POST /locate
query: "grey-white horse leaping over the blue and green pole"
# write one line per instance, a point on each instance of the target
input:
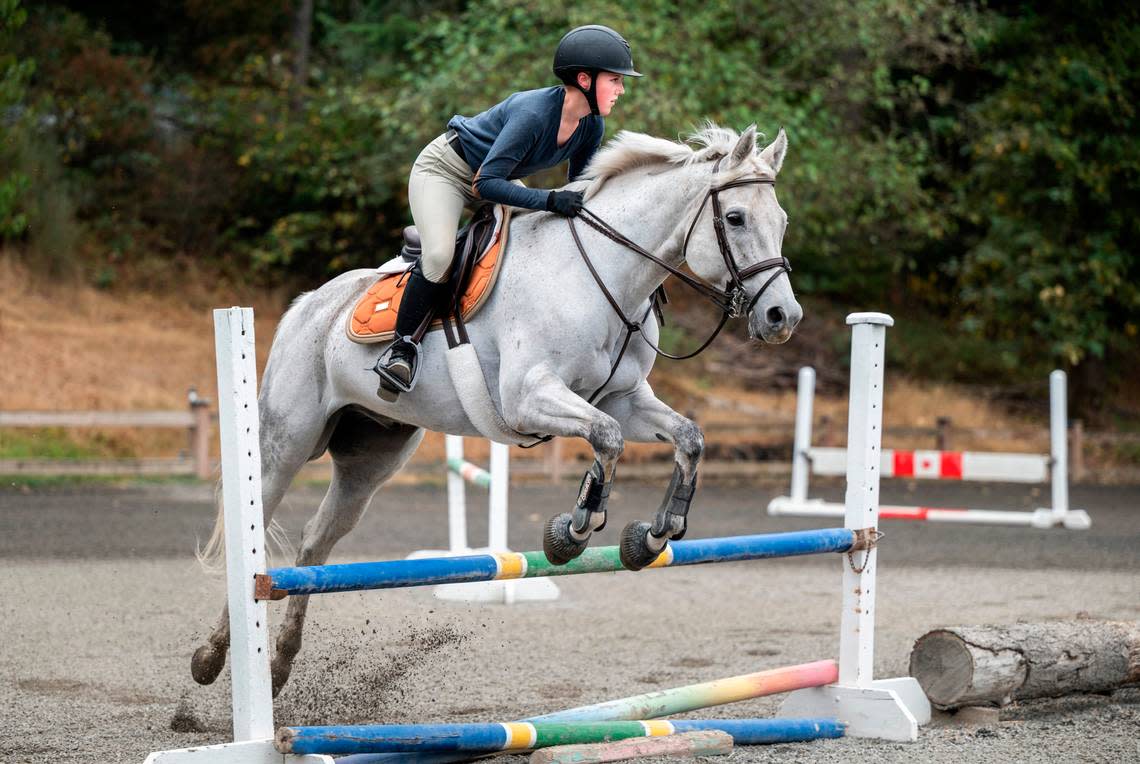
(547, 340)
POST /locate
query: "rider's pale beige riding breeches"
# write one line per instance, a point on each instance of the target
(439, 189)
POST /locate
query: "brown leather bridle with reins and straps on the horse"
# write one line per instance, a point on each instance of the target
(731, 300)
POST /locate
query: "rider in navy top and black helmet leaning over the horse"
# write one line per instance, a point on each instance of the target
(479, 158)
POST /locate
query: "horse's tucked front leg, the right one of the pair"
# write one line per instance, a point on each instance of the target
(645, 419)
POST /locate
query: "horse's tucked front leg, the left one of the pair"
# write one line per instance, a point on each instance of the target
(548, 407)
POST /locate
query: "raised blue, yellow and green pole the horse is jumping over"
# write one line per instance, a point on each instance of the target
(398, 574)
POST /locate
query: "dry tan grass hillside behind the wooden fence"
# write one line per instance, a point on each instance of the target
(68, 347)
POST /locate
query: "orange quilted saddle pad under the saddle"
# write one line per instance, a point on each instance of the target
(373, 320)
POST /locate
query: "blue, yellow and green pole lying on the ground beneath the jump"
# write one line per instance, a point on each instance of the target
(527, 736)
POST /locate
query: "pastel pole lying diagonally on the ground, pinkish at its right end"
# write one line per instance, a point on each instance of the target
(661, 703)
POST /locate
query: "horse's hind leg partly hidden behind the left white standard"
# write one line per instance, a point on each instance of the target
(286, 448)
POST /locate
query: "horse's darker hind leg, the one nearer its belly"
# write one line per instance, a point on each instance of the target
(365, 454)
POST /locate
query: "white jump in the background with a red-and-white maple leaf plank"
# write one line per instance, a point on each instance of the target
(940, 466)
